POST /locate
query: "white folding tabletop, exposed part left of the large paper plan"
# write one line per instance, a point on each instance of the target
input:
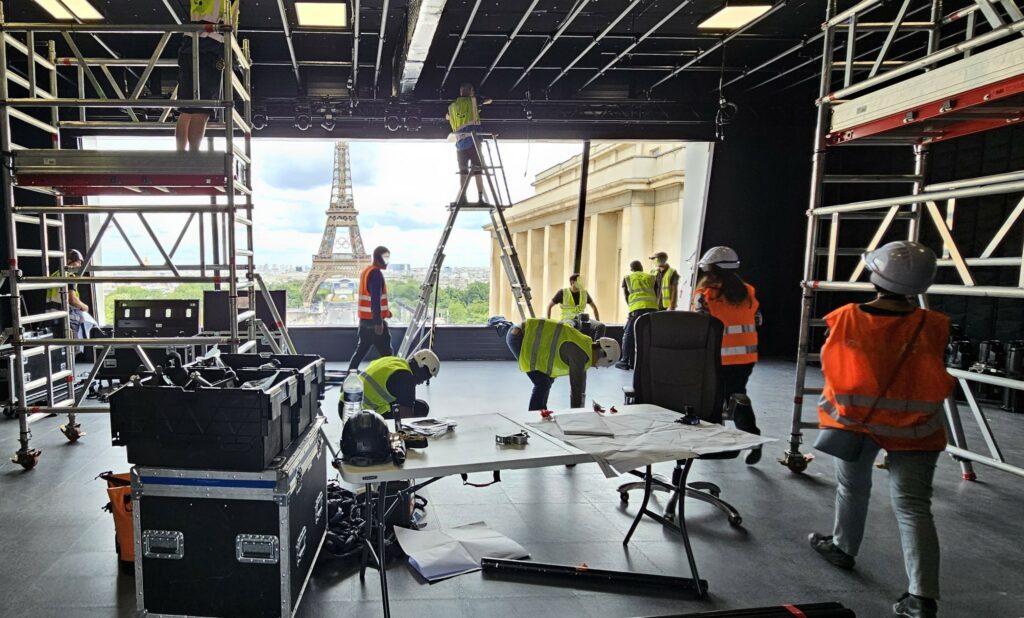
(471, 449)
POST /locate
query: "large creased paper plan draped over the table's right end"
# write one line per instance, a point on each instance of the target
(652, 437)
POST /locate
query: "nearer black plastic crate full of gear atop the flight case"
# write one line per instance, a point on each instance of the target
(207, 428)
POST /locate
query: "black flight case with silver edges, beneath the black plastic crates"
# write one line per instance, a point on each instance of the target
(215, 544)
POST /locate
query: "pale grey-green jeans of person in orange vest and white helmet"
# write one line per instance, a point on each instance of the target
(911, 489)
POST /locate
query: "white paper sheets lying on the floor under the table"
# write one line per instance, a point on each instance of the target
(440, 554)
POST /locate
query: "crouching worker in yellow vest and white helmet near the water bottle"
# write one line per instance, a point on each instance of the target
(393, 380)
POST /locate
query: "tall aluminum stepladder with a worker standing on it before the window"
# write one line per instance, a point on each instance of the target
(421, 328)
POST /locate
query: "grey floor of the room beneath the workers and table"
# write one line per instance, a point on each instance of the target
(58, 557)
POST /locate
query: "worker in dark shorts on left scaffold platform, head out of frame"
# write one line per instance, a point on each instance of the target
(191, 128)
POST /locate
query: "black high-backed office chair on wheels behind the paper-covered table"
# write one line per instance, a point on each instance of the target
(677, 362)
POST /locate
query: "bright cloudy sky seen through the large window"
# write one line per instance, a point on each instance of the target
(401, 191)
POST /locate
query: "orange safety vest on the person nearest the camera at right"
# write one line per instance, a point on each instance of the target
(860, 359)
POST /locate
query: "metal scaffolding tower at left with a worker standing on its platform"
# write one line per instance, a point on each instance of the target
(224, 226)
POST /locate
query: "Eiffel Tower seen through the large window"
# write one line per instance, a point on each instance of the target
(342, 253)
